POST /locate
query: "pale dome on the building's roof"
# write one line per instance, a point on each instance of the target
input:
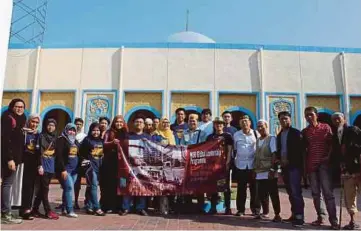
(189, 37)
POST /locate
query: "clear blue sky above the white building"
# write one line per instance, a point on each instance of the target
(334, 23)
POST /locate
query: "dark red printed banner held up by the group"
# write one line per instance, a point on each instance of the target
(151, 169)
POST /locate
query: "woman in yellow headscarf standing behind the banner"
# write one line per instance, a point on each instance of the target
(166, 203)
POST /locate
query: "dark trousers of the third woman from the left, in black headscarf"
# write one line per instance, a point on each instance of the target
(42, 191)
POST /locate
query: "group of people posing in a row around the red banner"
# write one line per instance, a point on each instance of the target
(255, 160)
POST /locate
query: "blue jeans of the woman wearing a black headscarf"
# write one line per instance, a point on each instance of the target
(92, 189)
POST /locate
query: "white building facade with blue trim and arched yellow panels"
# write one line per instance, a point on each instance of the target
(156, 78)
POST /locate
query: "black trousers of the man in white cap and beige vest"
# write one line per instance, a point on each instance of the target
(265, 189)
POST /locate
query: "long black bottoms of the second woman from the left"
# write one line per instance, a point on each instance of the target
(29, 177)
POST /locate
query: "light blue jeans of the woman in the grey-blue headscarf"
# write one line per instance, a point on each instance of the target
(68, 191)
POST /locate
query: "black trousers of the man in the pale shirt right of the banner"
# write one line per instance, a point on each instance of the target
(244, 177)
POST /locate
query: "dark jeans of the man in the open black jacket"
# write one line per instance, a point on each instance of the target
(292, 178)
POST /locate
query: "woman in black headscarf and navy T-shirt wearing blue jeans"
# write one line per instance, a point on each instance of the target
(91, 150)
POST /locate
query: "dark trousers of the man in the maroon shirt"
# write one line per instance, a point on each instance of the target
(321, 180)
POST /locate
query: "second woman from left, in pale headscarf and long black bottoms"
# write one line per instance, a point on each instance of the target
(31, 164)
